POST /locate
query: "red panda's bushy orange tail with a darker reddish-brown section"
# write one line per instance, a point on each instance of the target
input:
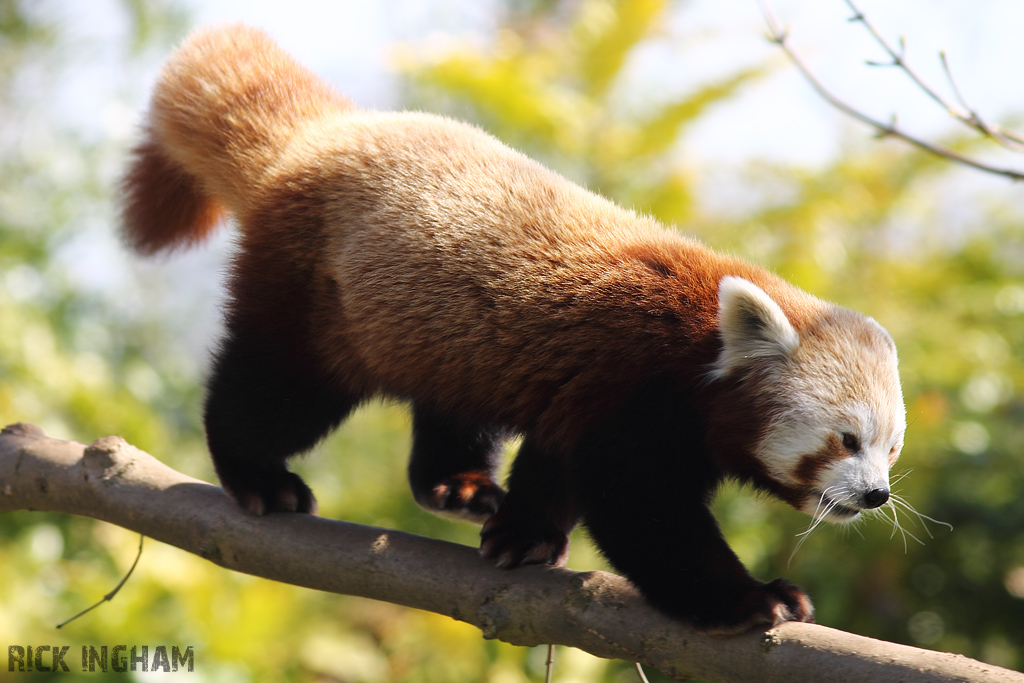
(224, 110)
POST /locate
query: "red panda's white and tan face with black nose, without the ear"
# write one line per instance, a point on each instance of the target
(839, 416)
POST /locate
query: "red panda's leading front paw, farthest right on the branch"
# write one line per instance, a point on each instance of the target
(761, 607)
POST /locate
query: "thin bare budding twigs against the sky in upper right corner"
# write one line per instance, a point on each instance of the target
(781, 37)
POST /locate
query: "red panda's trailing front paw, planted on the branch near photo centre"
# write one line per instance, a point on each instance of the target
(510, 542)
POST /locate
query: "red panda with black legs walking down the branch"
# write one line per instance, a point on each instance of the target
(413, 257)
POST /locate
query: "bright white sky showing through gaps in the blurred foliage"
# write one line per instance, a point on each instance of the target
(354, 45)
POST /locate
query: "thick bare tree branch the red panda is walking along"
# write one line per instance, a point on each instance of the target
(595, 612)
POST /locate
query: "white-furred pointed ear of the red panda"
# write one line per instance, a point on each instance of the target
(752, 325)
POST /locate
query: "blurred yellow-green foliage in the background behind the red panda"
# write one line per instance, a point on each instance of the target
(863, 232)
